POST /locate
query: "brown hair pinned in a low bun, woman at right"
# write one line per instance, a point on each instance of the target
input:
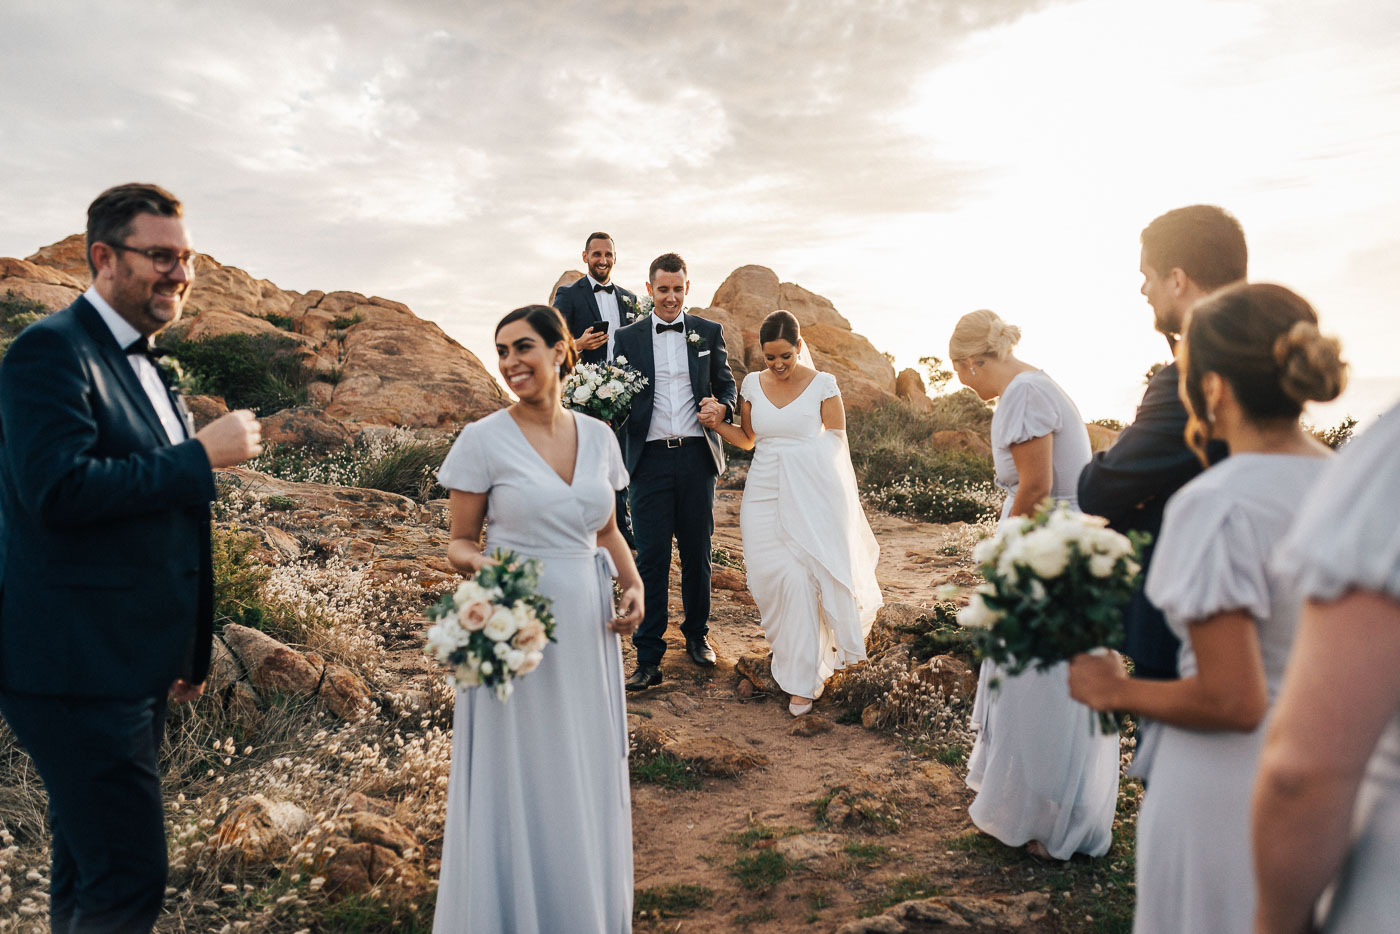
(1263, 341)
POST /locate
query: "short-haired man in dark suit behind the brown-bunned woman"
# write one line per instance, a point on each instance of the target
(1188, 254)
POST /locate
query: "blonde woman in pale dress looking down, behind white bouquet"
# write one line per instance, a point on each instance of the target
(1044, 779)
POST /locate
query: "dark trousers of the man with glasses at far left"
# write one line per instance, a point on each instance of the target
(99, 764)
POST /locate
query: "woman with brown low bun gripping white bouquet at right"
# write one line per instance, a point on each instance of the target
(1251, 358)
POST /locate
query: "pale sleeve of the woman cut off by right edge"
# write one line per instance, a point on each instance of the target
(1346, 536)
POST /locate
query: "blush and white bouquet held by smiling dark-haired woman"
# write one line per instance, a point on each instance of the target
(493, 628)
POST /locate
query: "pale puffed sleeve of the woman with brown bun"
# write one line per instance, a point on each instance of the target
(1209, 561)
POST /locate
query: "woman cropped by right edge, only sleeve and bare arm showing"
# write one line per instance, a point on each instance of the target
(1328, 797)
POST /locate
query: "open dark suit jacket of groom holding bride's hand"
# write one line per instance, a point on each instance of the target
(709, 377)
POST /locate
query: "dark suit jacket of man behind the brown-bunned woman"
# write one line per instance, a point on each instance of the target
(1129, 485)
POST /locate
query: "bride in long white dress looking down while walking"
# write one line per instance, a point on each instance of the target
(808, 550)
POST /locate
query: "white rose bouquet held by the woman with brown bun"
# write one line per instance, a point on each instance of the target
(1056, 586)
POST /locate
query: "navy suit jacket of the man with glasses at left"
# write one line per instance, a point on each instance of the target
(106, 585)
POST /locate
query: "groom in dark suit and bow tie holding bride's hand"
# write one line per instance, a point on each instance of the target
(674, 461)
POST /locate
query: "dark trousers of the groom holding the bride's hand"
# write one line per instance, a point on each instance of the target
(673, 498)
